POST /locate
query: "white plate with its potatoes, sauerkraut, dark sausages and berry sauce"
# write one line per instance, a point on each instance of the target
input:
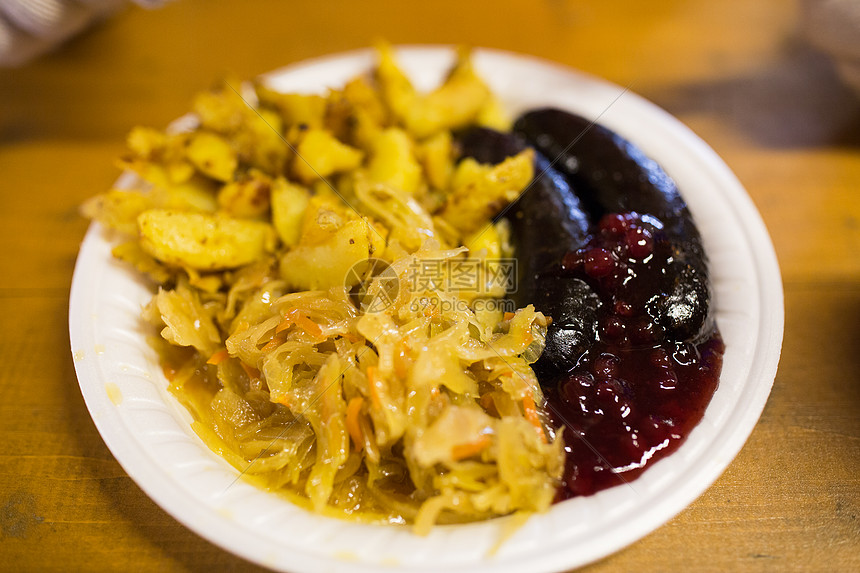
(424, 309)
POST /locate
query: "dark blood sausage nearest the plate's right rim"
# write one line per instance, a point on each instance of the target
(611, 175)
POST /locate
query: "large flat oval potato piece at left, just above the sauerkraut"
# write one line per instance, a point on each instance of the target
(201, 241)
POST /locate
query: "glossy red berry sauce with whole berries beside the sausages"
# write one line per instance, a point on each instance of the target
(636, 394)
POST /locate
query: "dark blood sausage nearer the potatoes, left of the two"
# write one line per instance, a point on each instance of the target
(546, 221)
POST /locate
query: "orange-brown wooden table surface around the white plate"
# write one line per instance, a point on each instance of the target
(734, 71)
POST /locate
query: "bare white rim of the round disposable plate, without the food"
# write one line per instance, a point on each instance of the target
(148, 431)
